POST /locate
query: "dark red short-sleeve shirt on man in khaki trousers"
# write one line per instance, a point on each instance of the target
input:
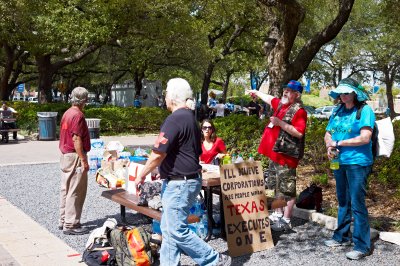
(73, 123)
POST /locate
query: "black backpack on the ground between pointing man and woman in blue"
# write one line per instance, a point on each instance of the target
(310, 198)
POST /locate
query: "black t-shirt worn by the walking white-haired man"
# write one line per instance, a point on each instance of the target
(180, 138)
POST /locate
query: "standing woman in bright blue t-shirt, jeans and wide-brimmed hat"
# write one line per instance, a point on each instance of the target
(351, 137)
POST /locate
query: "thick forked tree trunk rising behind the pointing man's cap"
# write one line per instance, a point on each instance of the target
(285, 17)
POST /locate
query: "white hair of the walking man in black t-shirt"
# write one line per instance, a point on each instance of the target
(179, 91)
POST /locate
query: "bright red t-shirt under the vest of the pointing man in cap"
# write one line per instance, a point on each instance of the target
(270, 135)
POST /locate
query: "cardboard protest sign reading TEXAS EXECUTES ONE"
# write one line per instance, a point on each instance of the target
(245, 208)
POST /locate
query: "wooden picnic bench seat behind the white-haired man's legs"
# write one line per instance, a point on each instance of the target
(130, 201)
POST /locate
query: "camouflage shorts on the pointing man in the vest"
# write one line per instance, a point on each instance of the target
(282, 179)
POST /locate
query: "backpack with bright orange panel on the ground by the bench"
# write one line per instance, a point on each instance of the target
(132, 246)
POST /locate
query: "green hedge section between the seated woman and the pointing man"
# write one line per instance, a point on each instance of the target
(241, 135)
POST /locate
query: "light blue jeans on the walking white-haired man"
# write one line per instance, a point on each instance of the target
(177, 199)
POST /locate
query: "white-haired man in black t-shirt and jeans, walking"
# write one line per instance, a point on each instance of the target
(177, 150)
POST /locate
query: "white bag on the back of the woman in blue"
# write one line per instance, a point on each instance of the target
(385, 137)
